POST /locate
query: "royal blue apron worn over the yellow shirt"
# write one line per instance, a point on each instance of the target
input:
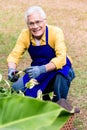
(42, 55)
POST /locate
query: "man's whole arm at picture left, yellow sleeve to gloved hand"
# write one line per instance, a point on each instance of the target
(15, 55)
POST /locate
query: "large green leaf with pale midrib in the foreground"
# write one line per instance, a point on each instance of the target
(24, 113)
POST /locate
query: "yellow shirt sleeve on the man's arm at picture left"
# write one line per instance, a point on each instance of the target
(20, 47)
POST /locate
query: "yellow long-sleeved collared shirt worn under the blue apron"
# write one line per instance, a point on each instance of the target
(55, 40)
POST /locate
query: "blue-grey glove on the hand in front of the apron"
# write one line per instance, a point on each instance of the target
(35, 71)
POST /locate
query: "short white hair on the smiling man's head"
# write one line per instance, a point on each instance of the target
(34, 9)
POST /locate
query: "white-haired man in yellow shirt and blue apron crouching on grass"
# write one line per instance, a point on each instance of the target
(50, 66)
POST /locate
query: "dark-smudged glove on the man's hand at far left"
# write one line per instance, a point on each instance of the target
(12, 75)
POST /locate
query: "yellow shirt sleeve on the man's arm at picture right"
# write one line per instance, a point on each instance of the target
(59, 47)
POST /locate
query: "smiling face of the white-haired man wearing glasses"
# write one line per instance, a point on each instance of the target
(37, 24)
